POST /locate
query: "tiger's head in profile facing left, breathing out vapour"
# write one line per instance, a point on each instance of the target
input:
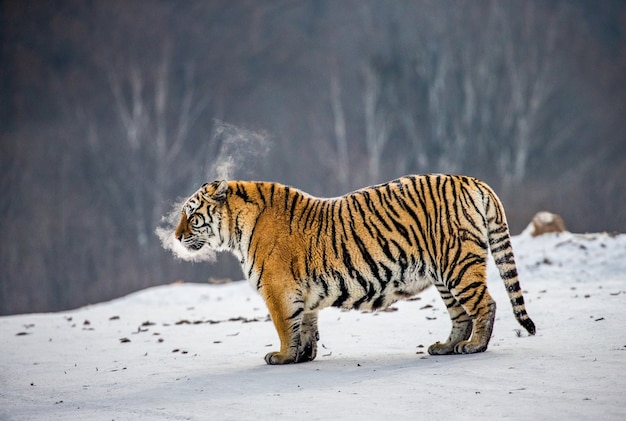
(201, 218)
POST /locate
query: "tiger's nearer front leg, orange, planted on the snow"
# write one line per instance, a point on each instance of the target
(287, 313)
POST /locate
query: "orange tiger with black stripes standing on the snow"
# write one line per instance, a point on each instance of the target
(364, 250)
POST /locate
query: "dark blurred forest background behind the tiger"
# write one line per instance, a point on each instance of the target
(111, 110)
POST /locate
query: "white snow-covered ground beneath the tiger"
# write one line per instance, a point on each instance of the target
(190, 351)
